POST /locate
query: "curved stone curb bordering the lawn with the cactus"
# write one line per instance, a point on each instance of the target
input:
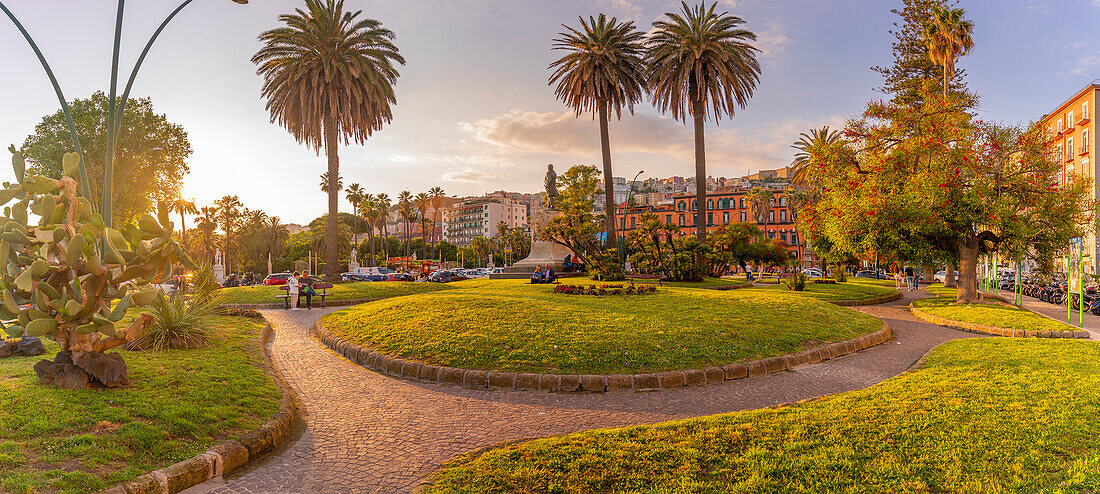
(226, 456)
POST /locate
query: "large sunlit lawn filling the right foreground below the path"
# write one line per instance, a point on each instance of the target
(982, 416)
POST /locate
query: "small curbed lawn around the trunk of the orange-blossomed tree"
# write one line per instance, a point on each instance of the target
(992, 314)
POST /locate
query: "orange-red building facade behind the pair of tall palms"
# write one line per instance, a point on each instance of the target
(723, 208)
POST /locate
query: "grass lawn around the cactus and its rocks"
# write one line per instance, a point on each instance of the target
(180, 404)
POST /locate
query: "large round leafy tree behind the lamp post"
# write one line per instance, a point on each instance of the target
(151, 155)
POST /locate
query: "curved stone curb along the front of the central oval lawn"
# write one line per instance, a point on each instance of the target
(571, 383)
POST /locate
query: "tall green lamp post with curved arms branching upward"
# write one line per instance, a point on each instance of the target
(115, 108)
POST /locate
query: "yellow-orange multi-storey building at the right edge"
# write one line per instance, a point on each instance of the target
(1071, 131)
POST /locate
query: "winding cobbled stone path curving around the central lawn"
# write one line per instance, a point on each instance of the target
(366, 433)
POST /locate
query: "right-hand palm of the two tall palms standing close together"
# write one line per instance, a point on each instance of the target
(700, 59)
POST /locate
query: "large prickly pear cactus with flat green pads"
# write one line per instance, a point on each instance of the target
(61, 277)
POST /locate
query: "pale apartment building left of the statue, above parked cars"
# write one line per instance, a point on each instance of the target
(478, 217)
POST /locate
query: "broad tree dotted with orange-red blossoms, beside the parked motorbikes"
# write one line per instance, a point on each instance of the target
(931, 183)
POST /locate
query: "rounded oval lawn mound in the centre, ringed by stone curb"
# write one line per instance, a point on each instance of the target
(512, 326)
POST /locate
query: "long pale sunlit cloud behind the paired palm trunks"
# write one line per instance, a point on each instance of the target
(525, 136)
